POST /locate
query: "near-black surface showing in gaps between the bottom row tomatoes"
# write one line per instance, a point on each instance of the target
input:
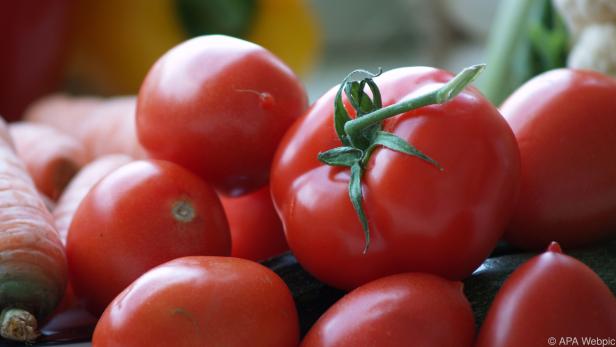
(313, 297)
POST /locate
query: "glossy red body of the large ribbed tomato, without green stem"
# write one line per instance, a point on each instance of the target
(421, 219)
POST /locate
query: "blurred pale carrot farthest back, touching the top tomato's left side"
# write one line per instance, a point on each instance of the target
(104, 126)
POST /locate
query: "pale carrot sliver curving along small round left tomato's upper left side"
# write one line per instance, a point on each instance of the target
(80, 186)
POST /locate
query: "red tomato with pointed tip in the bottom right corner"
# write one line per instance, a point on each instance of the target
(552, 296)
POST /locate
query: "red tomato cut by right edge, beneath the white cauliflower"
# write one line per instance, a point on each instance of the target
(565, 124)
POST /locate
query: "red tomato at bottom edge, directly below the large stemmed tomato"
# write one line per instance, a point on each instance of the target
(410, 309)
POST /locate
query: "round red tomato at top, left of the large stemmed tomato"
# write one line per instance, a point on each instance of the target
(219, 106)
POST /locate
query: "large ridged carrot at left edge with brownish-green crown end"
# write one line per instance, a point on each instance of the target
(33, 272)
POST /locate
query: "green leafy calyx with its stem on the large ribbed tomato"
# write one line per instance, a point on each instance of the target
(361, 135)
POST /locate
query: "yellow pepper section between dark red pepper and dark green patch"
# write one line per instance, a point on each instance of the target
(115, 42)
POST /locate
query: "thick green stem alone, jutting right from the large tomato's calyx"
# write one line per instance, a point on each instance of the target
(449, 90)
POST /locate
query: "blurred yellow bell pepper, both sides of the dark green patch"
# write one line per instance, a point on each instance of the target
(115, 42)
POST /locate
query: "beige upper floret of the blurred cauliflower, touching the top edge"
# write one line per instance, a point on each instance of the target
(579, 14)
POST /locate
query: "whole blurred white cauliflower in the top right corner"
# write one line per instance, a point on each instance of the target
(592, 25)
